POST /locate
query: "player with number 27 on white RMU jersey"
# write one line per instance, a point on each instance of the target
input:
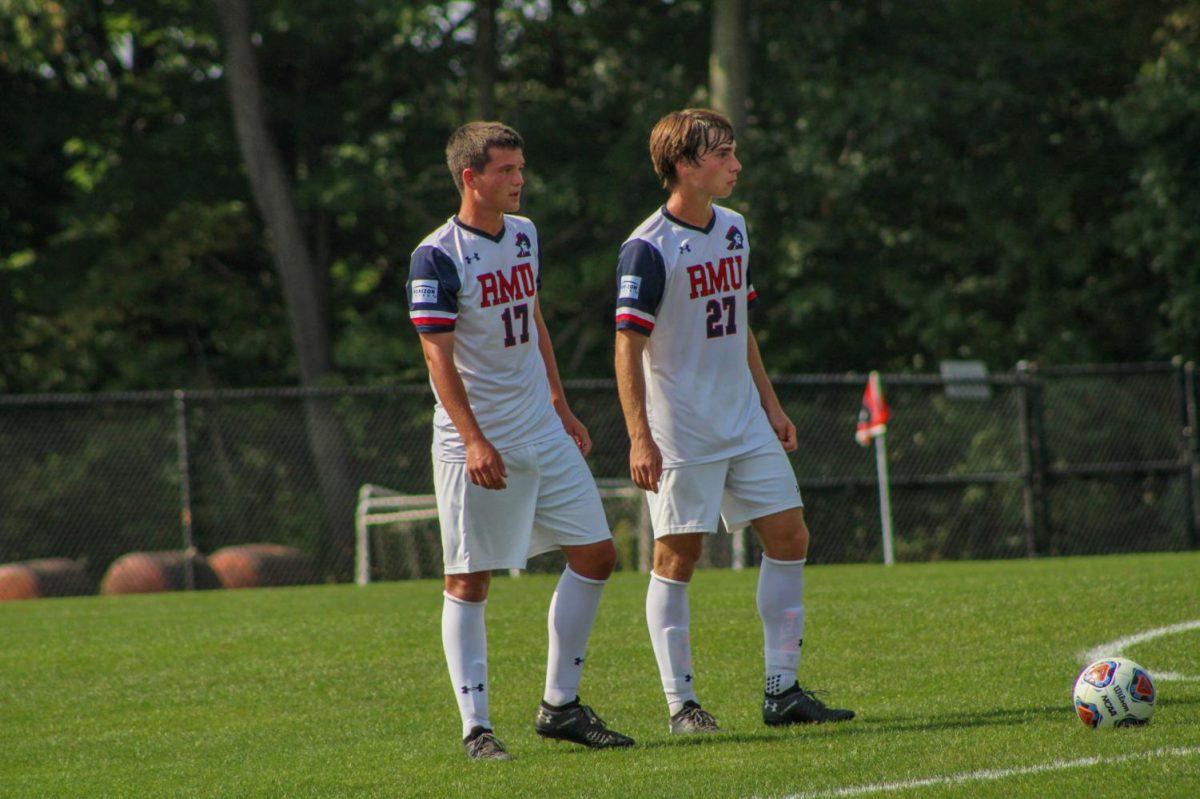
(707, 432)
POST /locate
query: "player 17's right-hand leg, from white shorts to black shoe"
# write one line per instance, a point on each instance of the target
(569, 515)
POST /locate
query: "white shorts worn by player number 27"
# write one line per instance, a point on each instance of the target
(691, 498)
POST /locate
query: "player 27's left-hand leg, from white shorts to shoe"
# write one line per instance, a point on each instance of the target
(683, 513)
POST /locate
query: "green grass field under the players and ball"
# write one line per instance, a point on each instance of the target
(341, 692)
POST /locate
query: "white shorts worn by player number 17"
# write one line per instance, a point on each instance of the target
(551, 501)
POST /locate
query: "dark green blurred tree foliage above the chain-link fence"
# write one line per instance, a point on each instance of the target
(980, 179)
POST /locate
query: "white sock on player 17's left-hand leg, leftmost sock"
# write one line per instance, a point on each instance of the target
(465, 641)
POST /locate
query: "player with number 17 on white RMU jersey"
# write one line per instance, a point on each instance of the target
(508, 453)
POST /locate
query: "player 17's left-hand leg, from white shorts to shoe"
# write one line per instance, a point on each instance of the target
(482, 531)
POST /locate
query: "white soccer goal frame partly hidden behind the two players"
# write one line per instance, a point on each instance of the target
(379, 506)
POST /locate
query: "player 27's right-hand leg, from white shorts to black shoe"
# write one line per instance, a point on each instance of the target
(763, 489)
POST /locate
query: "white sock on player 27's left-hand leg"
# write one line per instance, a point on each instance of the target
(668, 618)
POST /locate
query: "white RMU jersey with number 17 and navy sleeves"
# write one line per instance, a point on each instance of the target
(484, 290)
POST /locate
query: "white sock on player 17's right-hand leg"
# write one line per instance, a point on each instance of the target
(573, 609)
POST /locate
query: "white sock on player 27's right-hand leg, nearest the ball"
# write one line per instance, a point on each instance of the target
(781, 600)
